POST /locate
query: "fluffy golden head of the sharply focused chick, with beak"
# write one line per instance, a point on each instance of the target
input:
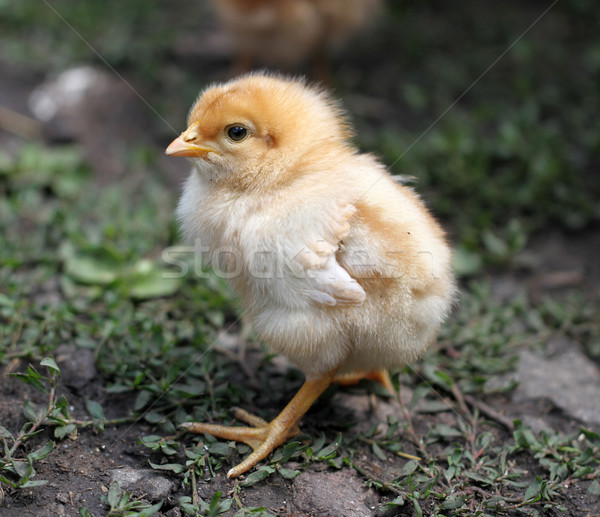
(252, 131)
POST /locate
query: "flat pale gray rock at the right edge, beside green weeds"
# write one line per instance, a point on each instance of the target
(569, 379)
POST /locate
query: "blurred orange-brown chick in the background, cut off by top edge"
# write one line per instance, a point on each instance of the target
(289, 33)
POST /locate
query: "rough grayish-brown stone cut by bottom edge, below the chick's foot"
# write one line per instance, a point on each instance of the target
(332, 494)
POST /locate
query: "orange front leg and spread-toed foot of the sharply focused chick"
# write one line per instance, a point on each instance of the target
(265, 437)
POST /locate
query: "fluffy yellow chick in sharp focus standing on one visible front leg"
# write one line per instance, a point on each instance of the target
(339, 267)
